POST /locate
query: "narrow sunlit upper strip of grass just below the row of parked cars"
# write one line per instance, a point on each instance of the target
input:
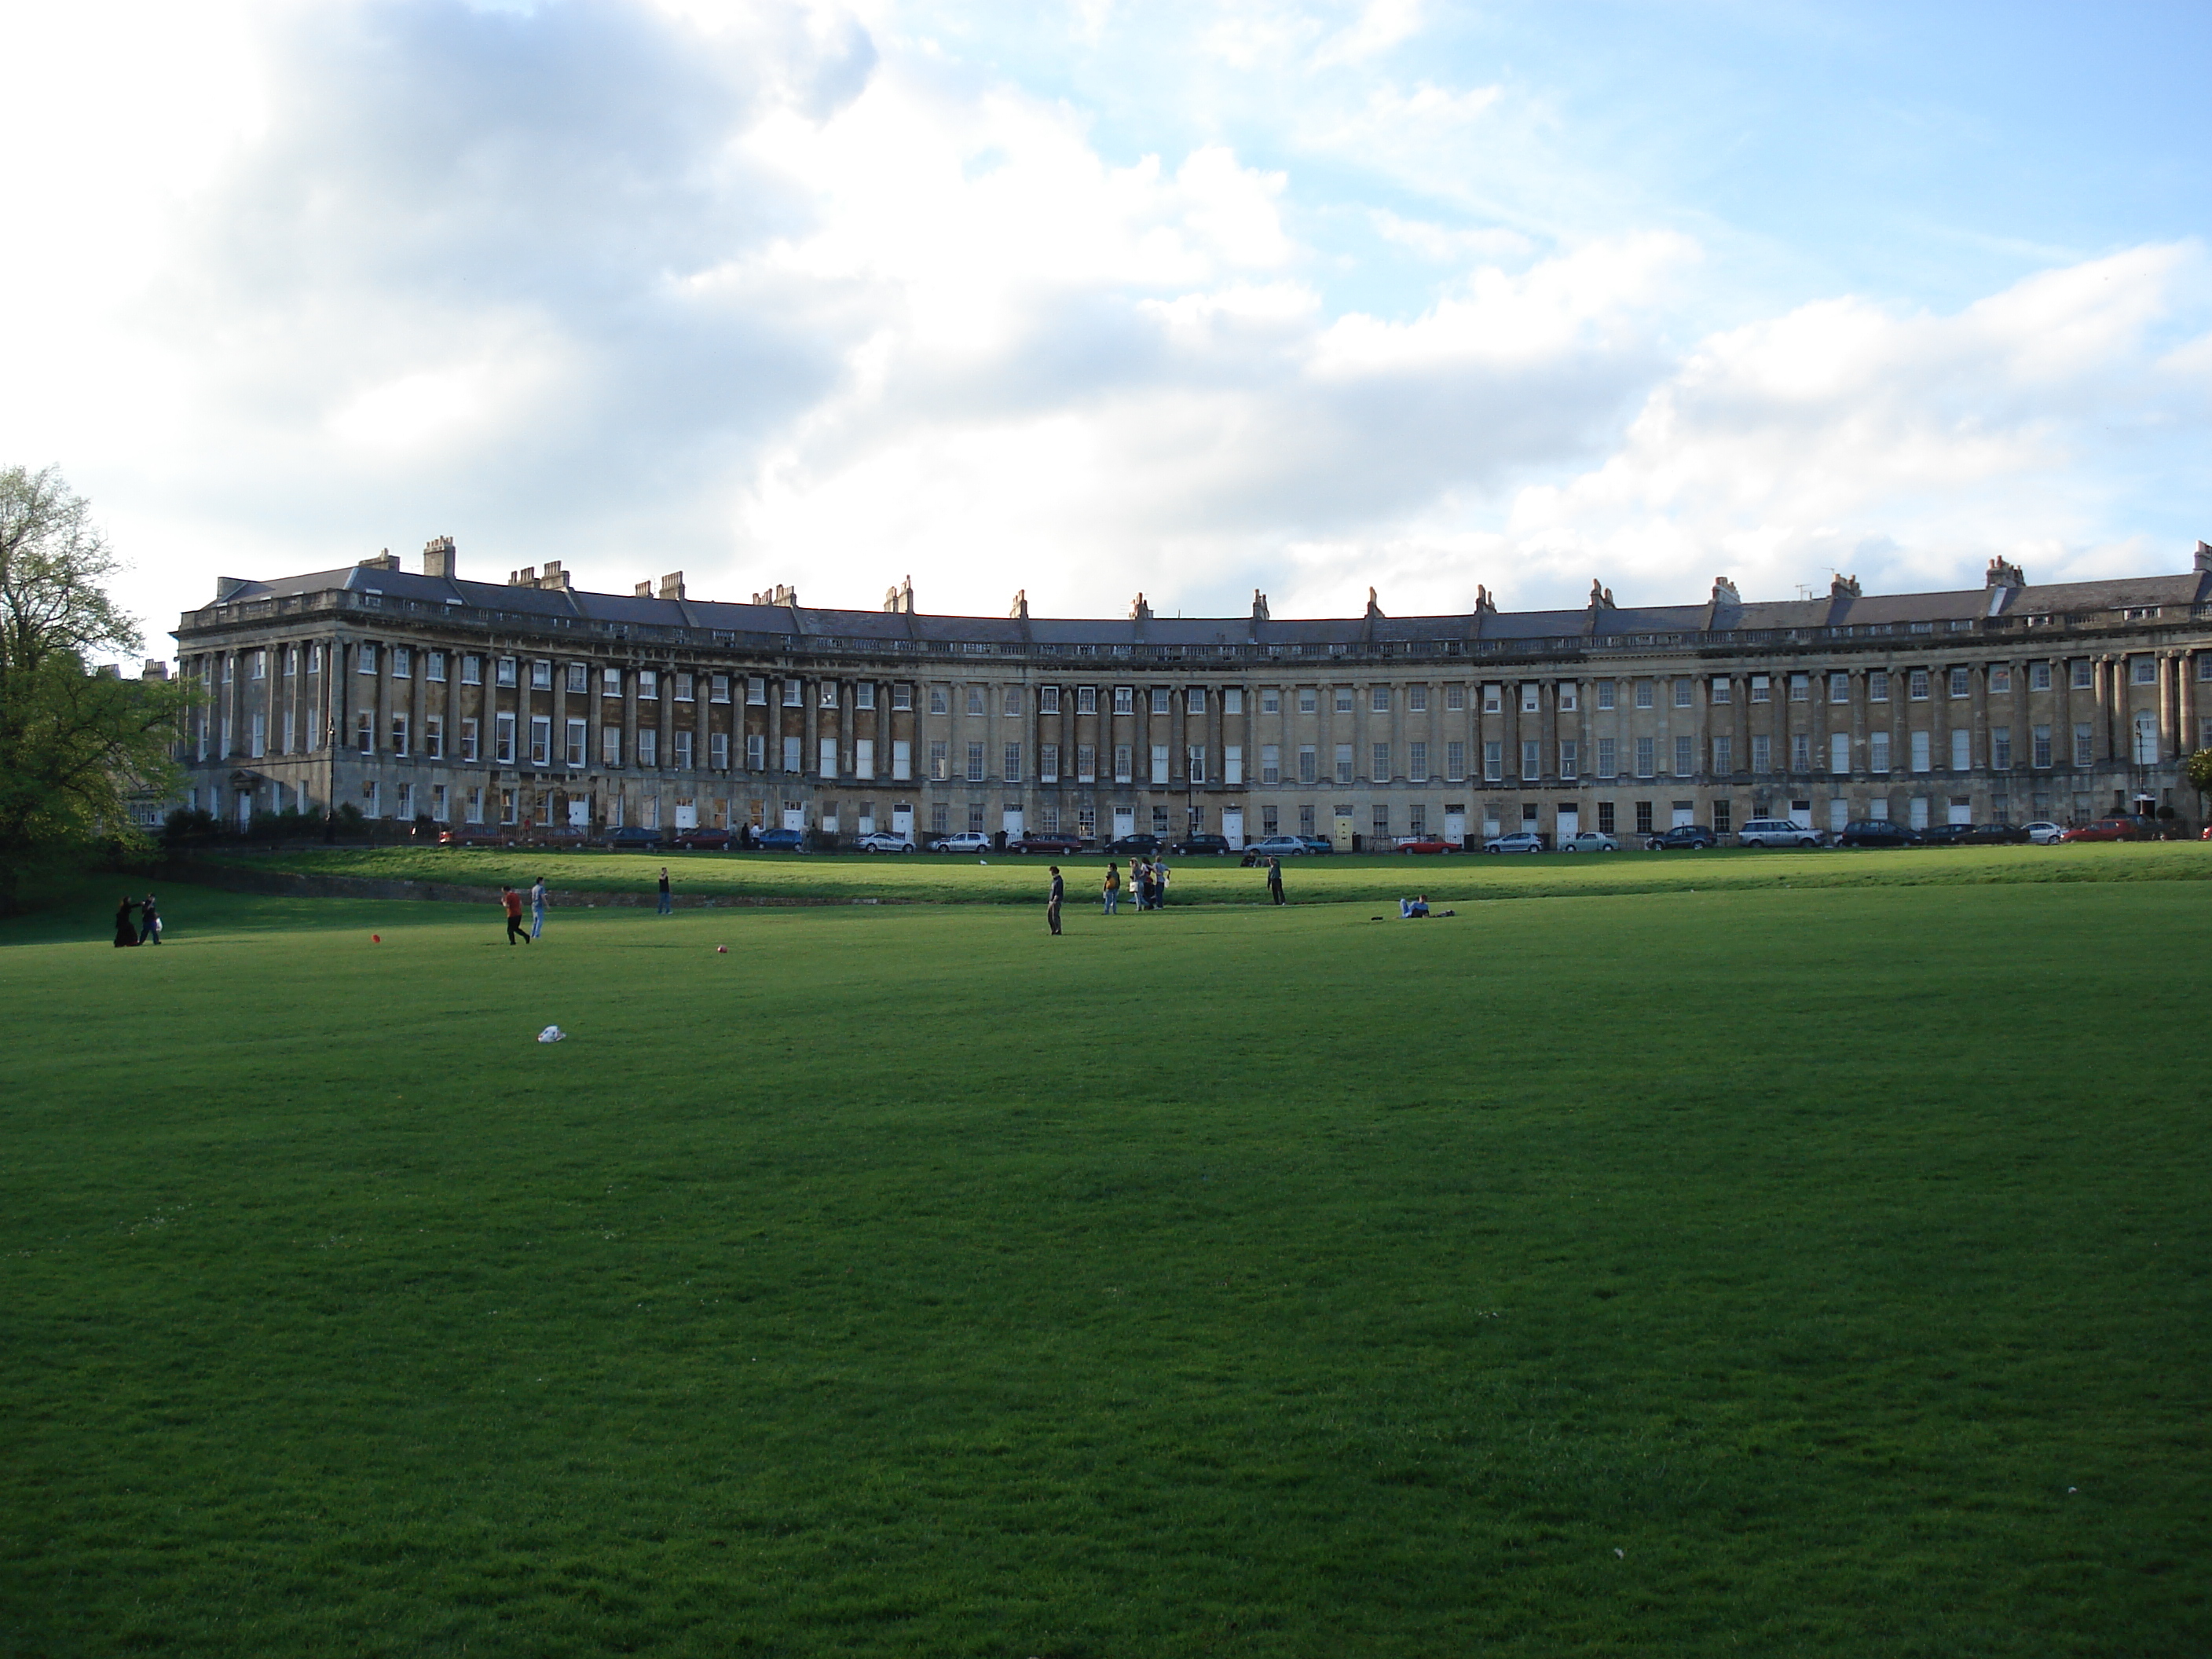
(946, 879)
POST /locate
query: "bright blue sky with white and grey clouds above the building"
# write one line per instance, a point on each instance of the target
(1100, 298)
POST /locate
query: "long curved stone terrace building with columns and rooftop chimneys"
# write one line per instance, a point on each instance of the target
(532, 705)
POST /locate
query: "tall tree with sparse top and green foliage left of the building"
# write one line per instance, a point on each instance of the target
(74, 740)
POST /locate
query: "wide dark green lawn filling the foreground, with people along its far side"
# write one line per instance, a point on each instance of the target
(1726, 1271)
